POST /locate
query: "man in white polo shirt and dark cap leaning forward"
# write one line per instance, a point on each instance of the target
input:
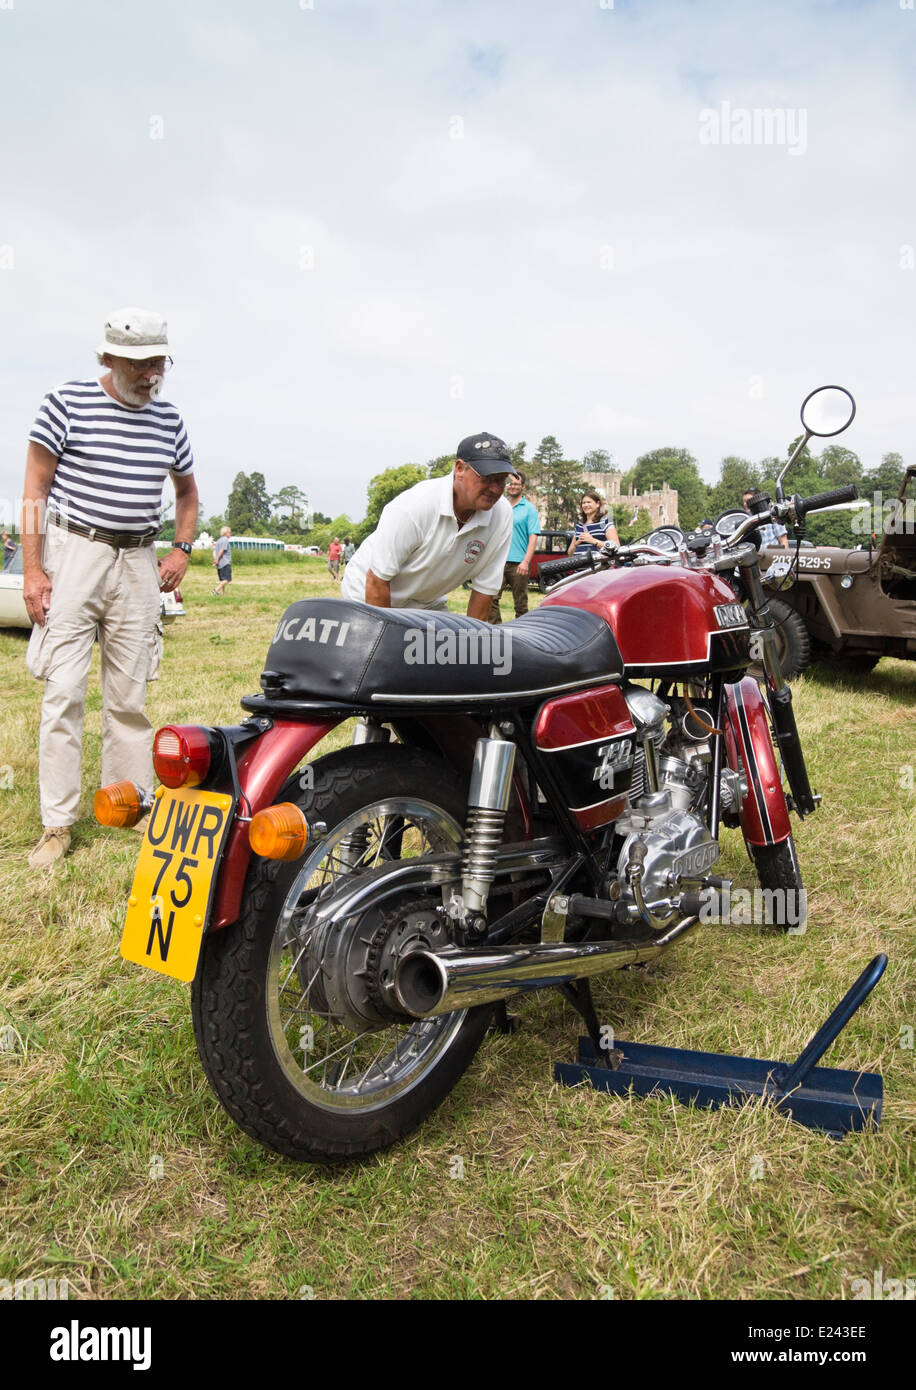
(439, 534)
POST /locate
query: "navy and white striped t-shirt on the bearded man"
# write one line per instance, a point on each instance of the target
(112, 459)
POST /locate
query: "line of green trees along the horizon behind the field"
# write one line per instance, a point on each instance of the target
(557, 484)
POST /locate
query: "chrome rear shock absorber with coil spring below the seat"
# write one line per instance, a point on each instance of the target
(487, 807)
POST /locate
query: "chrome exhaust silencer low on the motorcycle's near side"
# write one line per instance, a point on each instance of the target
(443, 982)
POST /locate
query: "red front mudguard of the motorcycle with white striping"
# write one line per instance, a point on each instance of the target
(764, 812)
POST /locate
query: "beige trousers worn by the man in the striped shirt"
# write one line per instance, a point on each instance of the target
(111, 596)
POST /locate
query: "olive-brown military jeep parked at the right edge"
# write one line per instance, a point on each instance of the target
(856, 605)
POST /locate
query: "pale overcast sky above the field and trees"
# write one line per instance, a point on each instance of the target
(379, 227)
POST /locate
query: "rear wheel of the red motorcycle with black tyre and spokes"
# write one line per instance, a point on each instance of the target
(255, 1007)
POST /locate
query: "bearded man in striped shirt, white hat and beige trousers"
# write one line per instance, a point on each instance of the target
(99, 454)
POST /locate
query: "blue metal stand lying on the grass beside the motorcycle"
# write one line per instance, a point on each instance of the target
(819, 1097)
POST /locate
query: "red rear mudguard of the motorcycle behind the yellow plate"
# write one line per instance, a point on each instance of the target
(263, 769)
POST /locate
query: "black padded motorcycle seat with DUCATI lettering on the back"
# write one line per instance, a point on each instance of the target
(336, 650)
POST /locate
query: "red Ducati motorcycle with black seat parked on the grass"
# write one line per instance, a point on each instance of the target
(523, 807)
